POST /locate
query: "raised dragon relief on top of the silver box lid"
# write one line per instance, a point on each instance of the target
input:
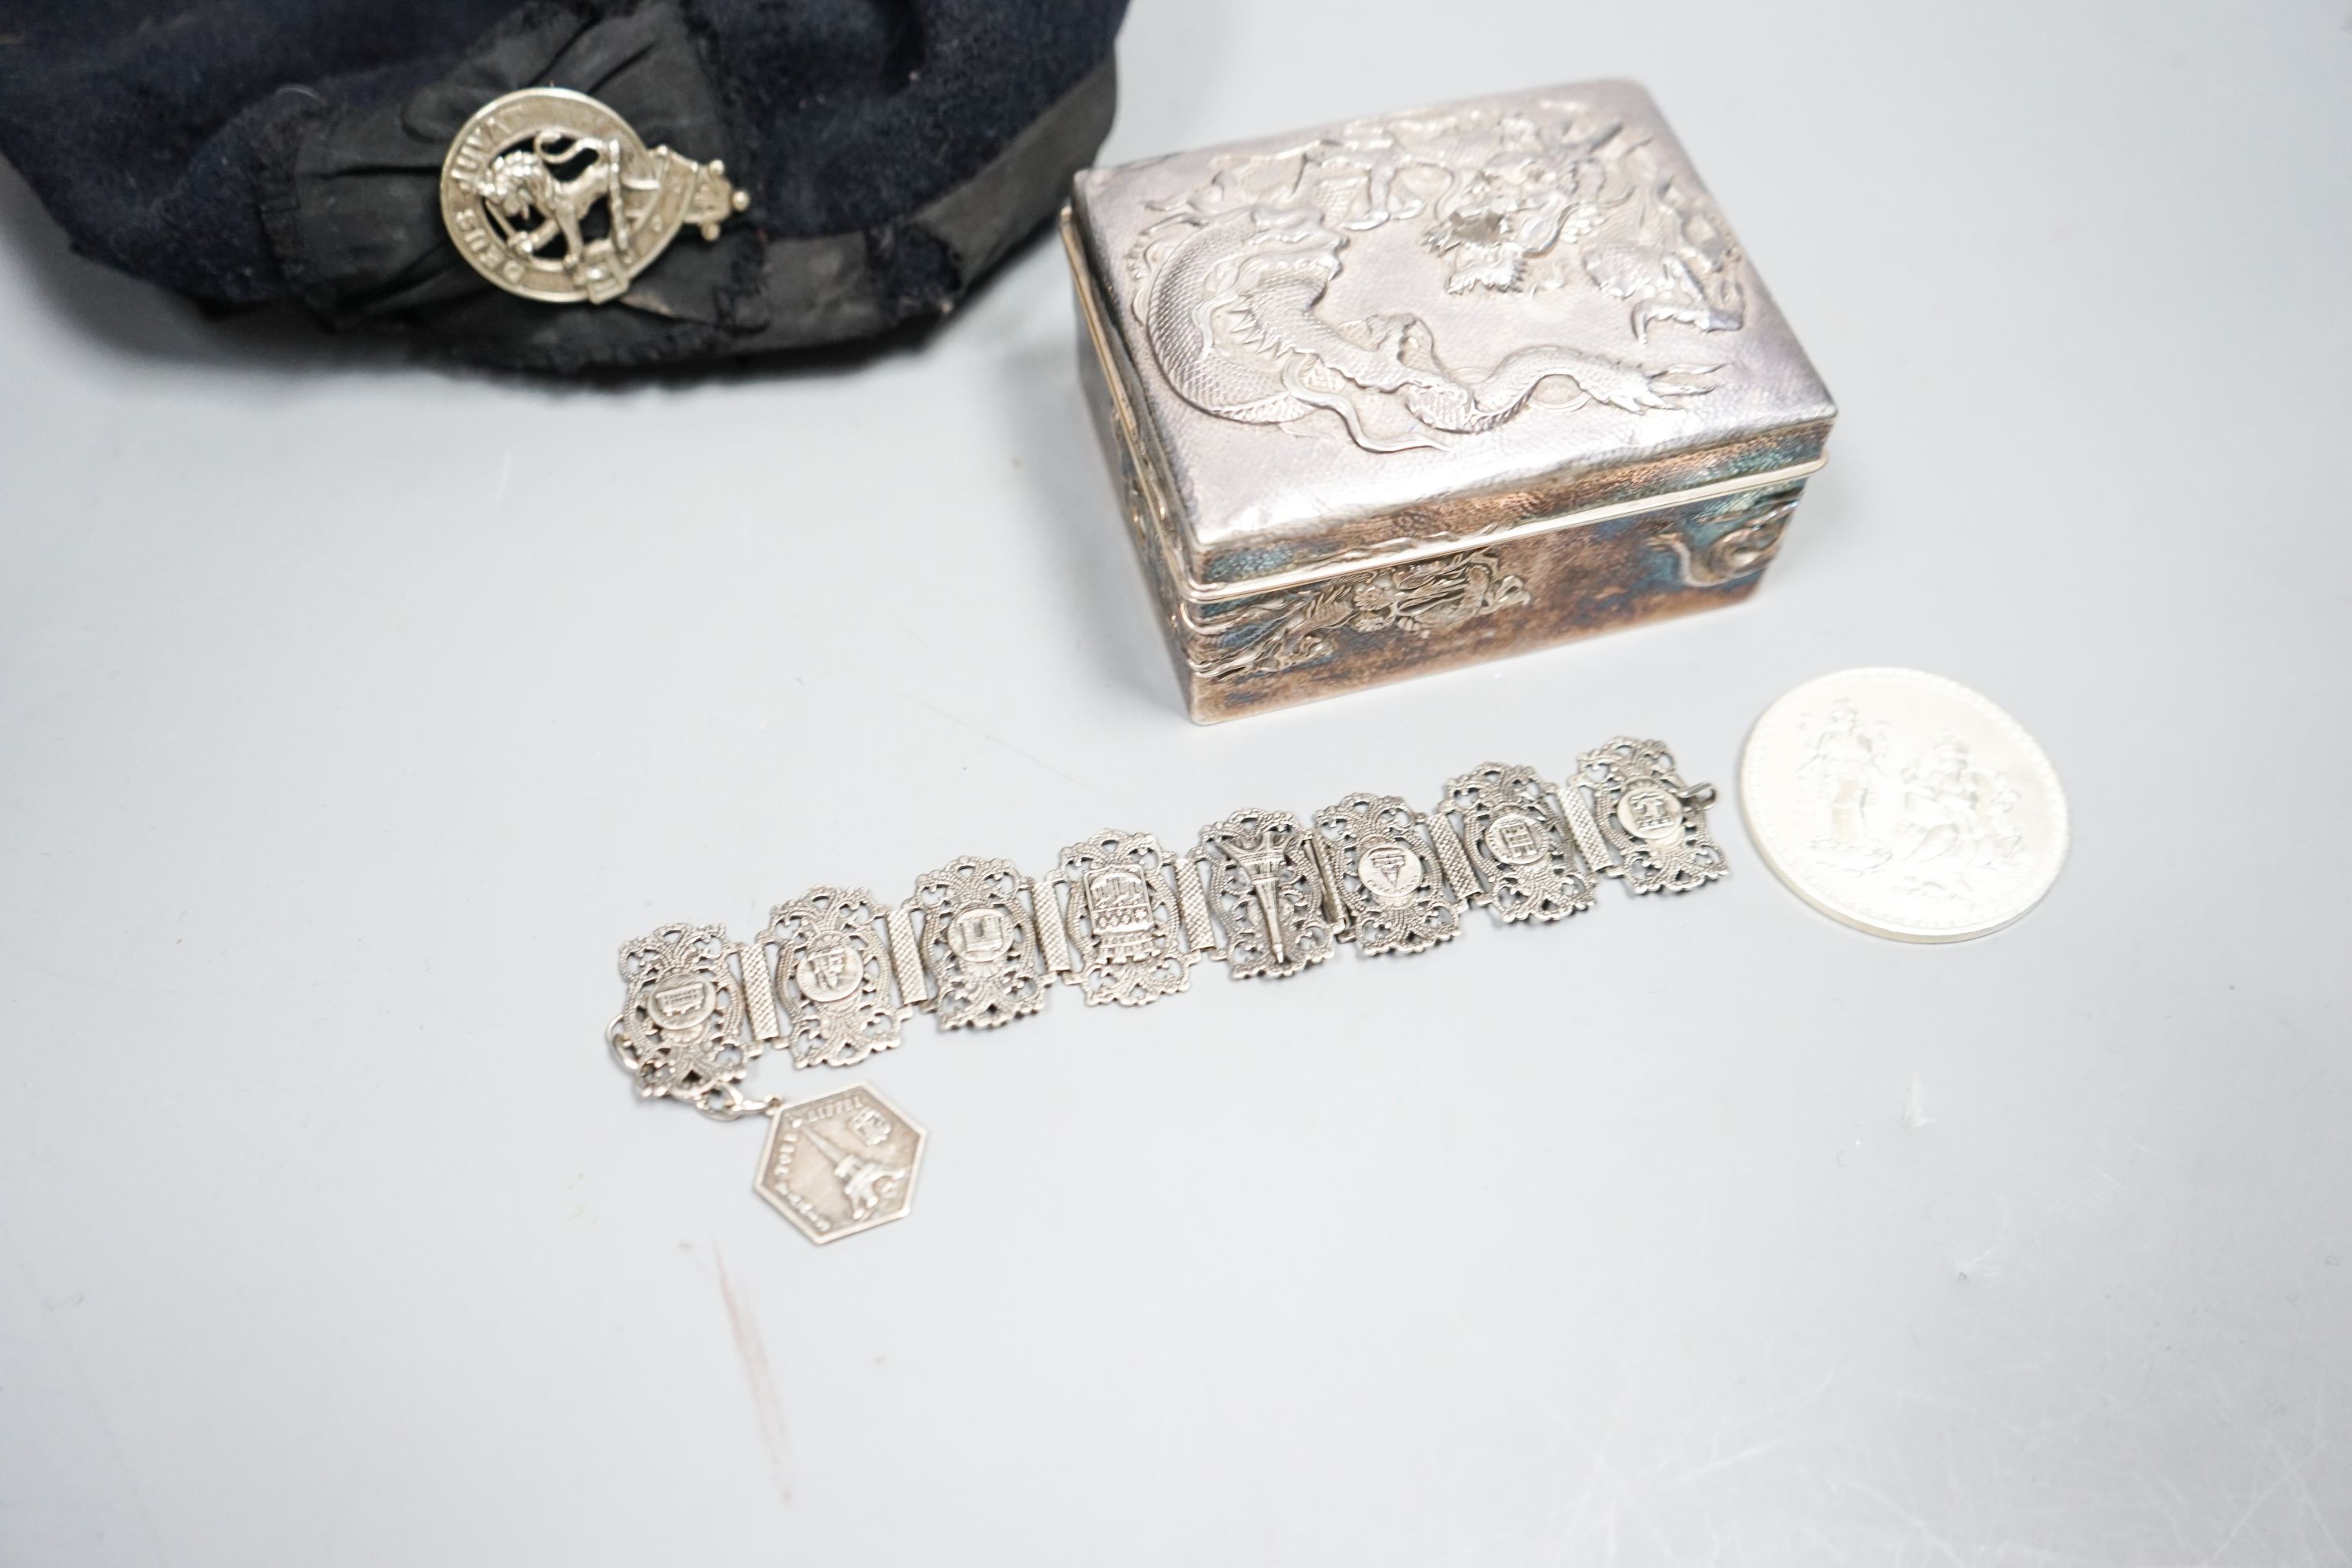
(1504, 201)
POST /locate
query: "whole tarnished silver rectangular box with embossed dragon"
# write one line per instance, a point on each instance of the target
(1434, 387)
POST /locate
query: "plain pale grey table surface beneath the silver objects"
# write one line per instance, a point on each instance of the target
(356, 711)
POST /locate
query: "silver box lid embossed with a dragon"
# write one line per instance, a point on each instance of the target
(1394, 337)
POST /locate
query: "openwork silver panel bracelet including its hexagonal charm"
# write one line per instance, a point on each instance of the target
(838, 972)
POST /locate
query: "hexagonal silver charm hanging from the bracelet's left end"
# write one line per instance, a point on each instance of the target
(841, 1165)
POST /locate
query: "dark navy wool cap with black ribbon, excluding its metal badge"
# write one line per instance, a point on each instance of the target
(250, 152)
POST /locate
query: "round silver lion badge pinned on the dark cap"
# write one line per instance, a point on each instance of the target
(554, 196)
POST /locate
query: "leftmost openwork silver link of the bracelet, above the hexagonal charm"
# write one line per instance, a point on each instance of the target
(681, 1028)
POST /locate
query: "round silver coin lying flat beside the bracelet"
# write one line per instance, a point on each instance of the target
(1904, 805)
